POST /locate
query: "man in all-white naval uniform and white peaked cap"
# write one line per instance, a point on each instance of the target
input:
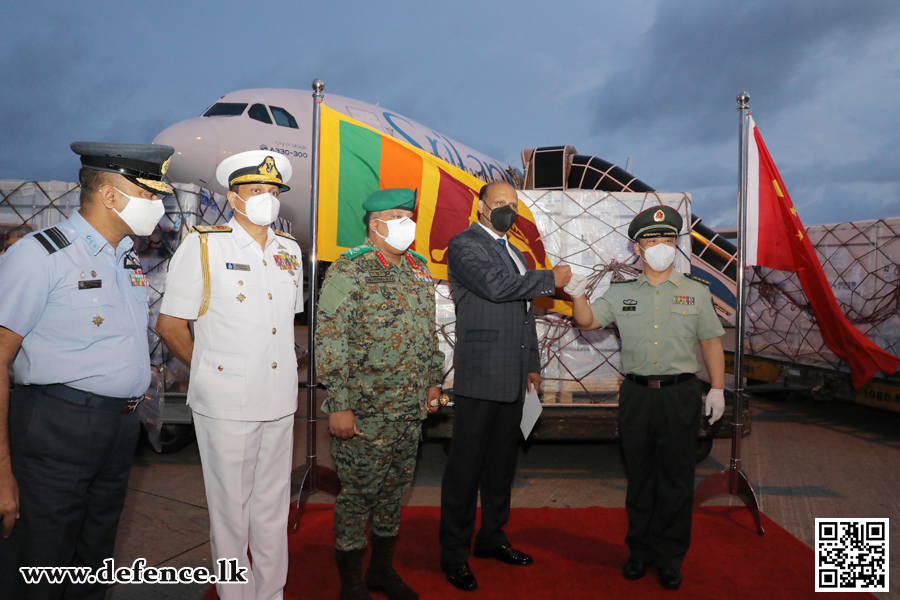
(241, 284)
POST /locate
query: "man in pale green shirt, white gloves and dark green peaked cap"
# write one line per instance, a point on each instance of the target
(662, 316)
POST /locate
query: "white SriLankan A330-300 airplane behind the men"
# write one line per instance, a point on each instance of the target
(280, 120)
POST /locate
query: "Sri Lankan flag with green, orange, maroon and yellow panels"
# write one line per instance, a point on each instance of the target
(357, 160)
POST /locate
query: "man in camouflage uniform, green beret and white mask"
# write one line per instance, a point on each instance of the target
(377, 353)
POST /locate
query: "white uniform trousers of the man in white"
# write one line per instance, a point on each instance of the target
(247, 474)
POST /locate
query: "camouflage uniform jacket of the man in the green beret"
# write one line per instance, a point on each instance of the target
(376, 344)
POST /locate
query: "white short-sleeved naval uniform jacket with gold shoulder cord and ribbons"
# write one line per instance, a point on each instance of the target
(244, 366)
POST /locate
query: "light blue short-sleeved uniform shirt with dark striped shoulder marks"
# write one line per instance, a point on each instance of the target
(81, 312)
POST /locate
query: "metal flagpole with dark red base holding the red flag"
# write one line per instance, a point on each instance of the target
(732, 480)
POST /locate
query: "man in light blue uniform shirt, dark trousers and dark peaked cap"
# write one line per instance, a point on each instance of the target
(73, 322)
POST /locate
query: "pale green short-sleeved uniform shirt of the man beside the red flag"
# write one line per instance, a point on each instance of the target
(659, 325)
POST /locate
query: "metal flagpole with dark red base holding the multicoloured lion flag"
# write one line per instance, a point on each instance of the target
(316, 478)
